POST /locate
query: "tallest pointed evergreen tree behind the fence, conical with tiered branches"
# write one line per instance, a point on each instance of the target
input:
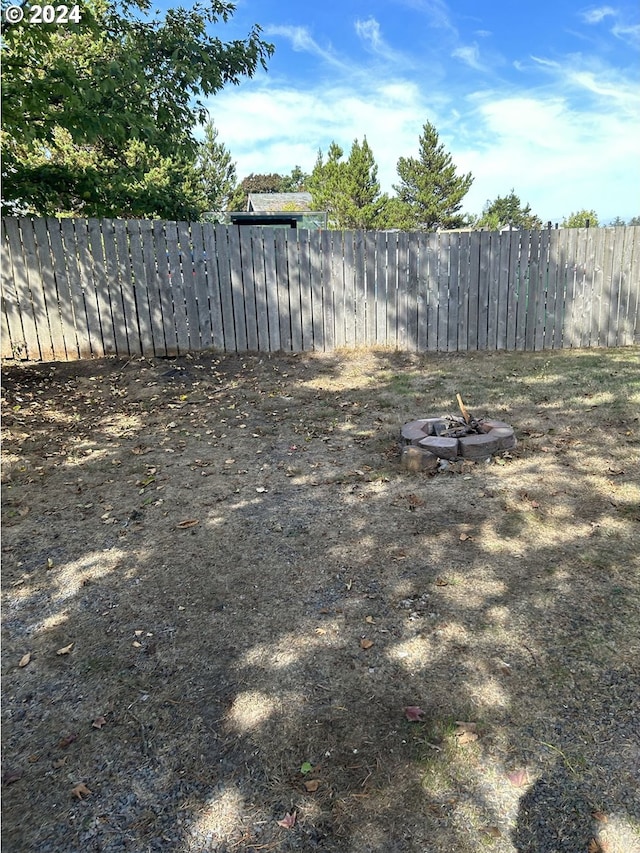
(430, 191)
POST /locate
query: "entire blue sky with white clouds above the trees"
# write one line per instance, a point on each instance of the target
(540, 97)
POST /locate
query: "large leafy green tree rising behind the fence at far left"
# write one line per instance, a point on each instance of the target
(123, 80)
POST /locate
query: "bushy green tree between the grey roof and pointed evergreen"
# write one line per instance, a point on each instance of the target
(349, 190)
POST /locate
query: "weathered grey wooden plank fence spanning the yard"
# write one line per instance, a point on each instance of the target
(77, 288)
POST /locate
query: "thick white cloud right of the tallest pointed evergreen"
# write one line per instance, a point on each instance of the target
(556, 158)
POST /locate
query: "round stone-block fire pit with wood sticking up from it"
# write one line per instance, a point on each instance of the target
(426, 441)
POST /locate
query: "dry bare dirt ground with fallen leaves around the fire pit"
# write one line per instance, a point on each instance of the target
(221, 594)
